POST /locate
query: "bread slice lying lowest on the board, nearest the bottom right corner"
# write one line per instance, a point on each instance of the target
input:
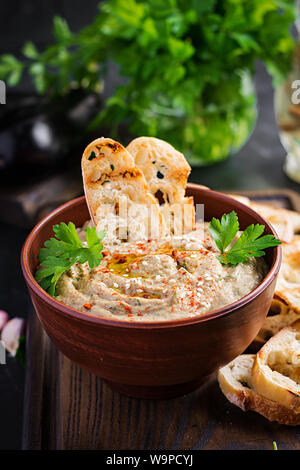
(235, 381)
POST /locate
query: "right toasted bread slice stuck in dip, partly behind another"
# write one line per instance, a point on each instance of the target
(166, 171)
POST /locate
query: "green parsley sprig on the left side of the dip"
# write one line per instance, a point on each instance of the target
(60, 253)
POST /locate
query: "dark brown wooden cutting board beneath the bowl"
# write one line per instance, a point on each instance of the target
(69, 408)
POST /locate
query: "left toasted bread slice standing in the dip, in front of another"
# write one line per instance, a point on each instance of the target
(117, 194)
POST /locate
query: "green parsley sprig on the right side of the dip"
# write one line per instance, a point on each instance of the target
(250, 243)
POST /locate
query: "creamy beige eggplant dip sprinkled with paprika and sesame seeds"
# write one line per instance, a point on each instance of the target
(159, 280)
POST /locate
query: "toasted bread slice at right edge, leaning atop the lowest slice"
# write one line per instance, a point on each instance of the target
(276, 368)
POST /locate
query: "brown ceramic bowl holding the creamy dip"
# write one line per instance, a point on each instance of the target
(152, 359)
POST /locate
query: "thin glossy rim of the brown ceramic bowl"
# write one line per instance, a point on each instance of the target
(91, 318)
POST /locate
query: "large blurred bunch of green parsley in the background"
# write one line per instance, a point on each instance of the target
(184, 63)
